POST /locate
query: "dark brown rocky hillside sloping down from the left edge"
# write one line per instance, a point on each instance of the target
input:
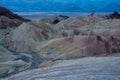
(9, 19)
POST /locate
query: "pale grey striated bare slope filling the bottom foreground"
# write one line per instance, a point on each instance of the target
(102, 68)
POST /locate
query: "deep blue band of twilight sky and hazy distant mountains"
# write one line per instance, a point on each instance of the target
(61, 5)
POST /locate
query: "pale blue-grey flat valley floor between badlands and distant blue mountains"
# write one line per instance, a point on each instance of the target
(41, 15)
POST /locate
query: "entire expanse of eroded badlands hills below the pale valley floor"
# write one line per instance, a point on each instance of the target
(60, 48)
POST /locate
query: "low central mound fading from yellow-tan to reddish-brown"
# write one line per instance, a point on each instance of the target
(71, 48)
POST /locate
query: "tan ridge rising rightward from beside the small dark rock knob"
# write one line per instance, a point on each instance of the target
(72, 23)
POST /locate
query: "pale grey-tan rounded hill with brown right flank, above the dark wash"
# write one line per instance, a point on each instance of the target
(28, 35)
